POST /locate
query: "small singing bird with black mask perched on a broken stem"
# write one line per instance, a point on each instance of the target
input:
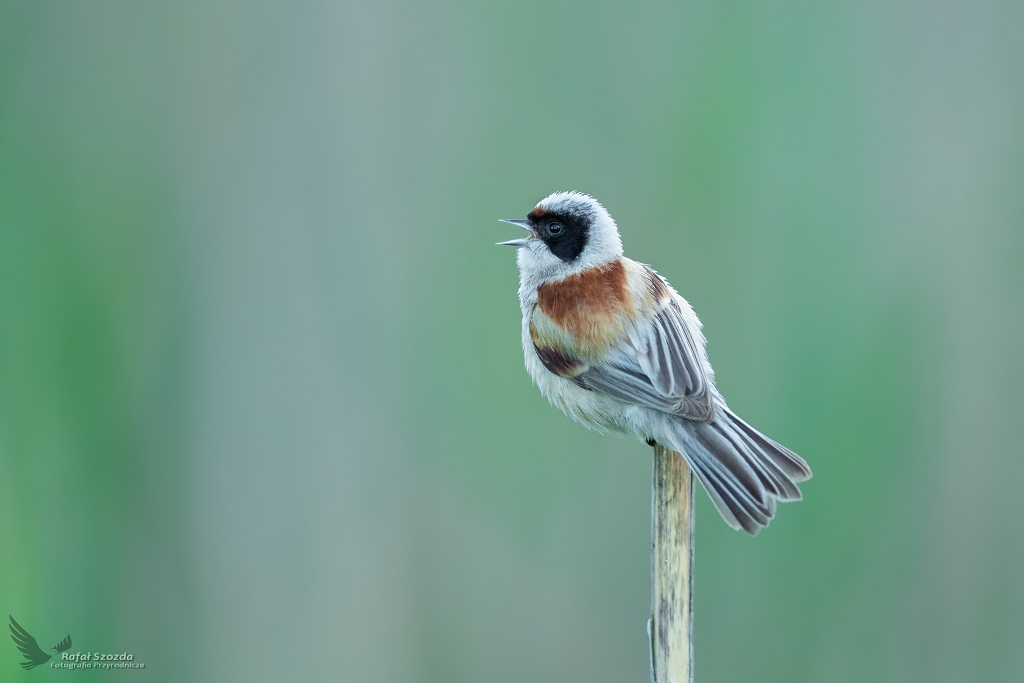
(611, 344)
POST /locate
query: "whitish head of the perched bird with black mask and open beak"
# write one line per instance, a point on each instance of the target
(569, 233)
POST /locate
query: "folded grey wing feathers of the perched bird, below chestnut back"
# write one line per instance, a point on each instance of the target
(658, 366)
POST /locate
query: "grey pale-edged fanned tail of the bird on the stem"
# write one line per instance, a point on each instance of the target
(744, 472)
